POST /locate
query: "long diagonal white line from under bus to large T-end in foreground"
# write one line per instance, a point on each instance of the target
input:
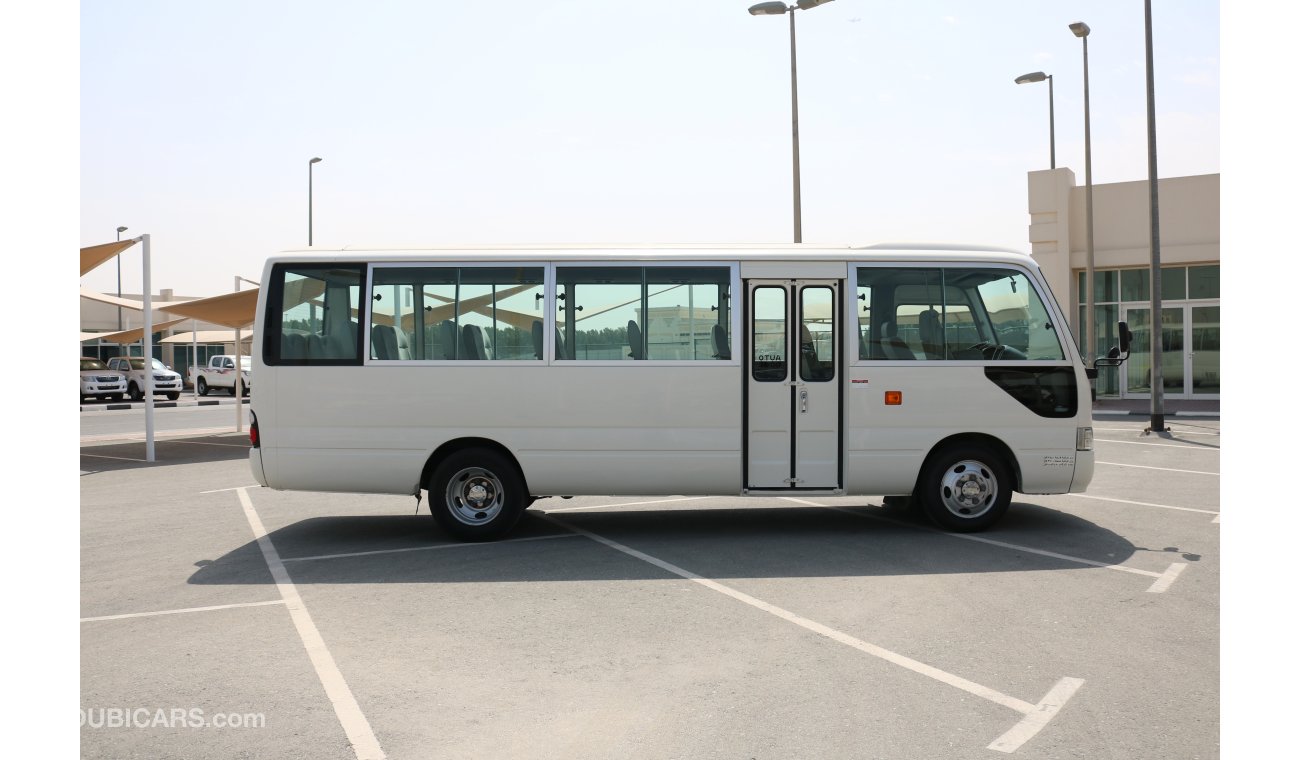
(1035, 715)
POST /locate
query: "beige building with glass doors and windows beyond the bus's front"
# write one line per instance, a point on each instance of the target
(1121, 253)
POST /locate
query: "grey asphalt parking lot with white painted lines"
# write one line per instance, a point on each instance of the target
(224, 620)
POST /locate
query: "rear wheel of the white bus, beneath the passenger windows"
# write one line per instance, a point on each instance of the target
(476, 494)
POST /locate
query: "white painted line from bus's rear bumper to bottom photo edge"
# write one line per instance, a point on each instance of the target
(350, 715)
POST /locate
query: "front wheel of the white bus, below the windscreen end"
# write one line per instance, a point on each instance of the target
(965, 489)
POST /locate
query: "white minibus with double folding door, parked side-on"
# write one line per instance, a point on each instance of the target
(493, 377)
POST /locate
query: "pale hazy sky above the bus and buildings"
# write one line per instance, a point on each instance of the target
(608, 121)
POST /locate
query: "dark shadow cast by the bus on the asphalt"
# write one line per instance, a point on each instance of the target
(713, 544)
